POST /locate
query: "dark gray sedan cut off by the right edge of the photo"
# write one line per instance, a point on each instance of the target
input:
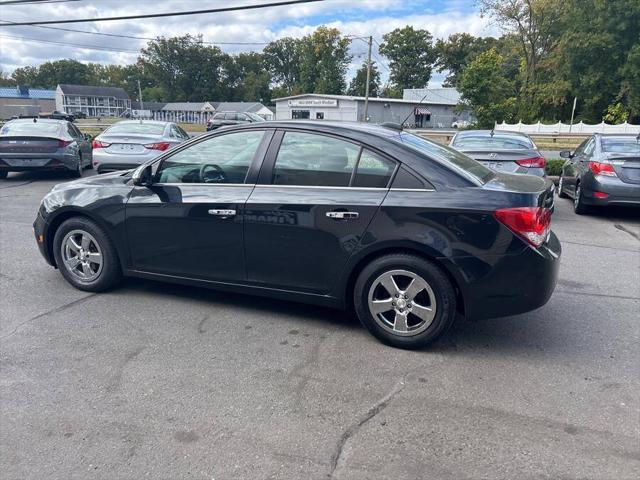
(604, 170)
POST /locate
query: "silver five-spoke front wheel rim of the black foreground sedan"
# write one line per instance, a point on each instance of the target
(82, 255)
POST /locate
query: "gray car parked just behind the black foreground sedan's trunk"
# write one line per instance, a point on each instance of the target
(507, 152)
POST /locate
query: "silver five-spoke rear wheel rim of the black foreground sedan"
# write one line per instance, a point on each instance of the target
(402, 302)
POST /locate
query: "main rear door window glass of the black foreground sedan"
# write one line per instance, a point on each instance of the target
(314, 160)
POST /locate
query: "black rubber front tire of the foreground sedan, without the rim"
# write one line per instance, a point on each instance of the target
(110, 273)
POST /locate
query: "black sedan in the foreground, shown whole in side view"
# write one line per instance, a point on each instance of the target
(406, 231)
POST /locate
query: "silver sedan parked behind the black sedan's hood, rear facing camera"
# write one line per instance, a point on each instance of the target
(130, 143)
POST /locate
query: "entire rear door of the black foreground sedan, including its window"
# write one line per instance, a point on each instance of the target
(314, 200)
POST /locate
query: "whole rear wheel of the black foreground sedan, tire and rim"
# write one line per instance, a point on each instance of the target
(404, 300)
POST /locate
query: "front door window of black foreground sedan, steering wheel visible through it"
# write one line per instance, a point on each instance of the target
(221, 159)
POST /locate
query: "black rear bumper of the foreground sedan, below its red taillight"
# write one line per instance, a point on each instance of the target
(513, 284)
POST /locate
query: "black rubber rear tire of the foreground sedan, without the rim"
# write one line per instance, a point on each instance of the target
(435, 278)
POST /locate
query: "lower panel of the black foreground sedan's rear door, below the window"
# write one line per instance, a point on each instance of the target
(290, 241)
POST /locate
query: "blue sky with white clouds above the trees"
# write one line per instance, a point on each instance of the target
(27, 45)
